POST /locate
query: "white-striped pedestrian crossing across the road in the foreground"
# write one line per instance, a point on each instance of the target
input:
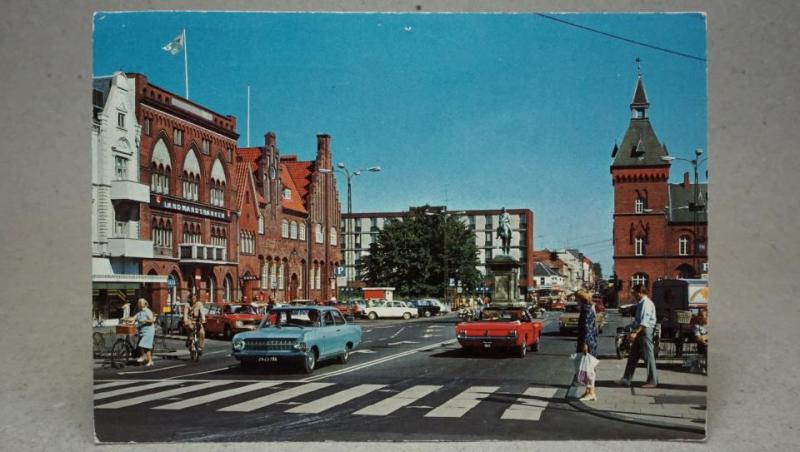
(444, 401)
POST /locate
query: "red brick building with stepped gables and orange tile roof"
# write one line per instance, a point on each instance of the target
(299, 251)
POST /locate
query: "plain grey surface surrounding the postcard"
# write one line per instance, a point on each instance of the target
(45, 375)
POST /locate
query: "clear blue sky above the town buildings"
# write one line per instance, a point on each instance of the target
(489, 110)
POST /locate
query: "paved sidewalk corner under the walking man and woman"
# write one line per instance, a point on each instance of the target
(679, 401)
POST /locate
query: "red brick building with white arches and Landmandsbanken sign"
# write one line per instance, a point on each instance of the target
(186, 159)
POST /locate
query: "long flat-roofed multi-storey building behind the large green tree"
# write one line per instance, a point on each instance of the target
(361, 229)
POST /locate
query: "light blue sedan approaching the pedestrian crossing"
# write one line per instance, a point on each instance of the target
(306, 334)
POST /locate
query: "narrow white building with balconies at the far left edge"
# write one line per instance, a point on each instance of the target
(117, 194)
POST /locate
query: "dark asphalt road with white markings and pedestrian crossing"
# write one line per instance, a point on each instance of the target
(408, 381)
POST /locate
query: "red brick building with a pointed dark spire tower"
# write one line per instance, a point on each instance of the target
(659, 228)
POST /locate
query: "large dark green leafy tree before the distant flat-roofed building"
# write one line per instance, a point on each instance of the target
(409, 254)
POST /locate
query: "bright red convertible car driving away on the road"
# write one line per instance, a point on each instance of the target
(501, 328)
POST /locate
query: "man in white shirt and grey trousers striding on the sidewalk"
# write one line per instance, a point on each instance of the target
(641, 338)
